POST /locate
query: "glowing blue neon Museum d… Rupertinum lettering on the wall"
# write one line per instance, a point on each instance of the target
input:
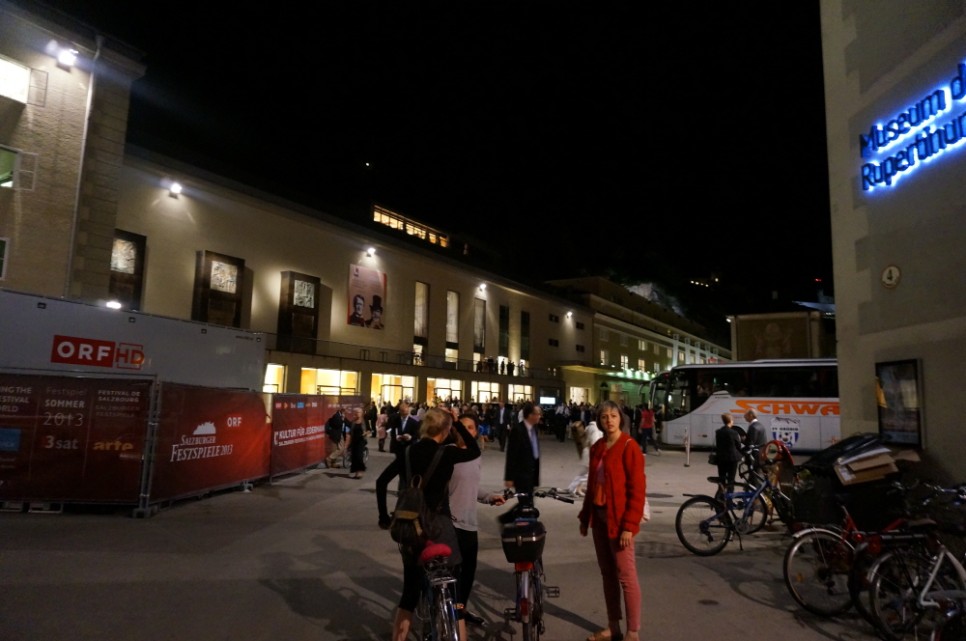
(910, 138)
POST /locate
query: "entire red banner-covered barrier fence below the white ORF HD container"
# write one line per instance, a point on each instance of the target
(92, 440)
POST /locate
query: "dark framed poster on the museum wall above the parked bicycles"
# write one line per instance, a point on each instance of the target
(899, 399)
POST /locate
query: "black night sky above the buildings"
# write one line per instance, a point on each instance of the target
(659, 140)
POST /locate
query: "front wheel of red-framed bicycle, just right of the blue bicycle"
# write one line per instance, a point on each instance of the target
(816, 570)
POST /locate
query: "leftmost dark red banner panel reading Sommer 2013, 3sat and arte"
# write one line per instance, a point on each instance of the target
(72, 439)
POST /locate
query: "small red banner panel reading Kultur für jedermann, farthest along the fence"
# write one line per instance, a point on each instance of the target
(298, 431)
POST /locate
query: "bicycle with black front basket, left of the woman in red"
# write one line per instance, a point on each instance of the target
(523, 541)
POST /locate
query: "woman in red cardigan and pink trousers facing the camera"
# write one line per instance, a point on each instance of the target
(613, 507)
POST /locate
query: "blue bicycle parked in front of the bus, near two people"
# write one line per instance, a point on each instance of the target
(705, 524)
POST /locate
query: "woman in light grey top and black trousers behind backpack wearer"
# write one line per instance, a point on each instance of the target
(465, 494)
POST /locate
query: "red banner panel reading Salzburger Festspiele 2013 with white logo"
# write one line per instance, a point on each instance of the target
(209, 439)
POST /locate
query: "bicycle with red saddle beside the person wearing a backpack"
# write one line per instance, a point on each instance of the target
(435, 616)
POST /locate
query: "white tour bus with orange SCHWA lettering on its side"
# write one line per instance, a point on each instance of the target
(797, 401)
